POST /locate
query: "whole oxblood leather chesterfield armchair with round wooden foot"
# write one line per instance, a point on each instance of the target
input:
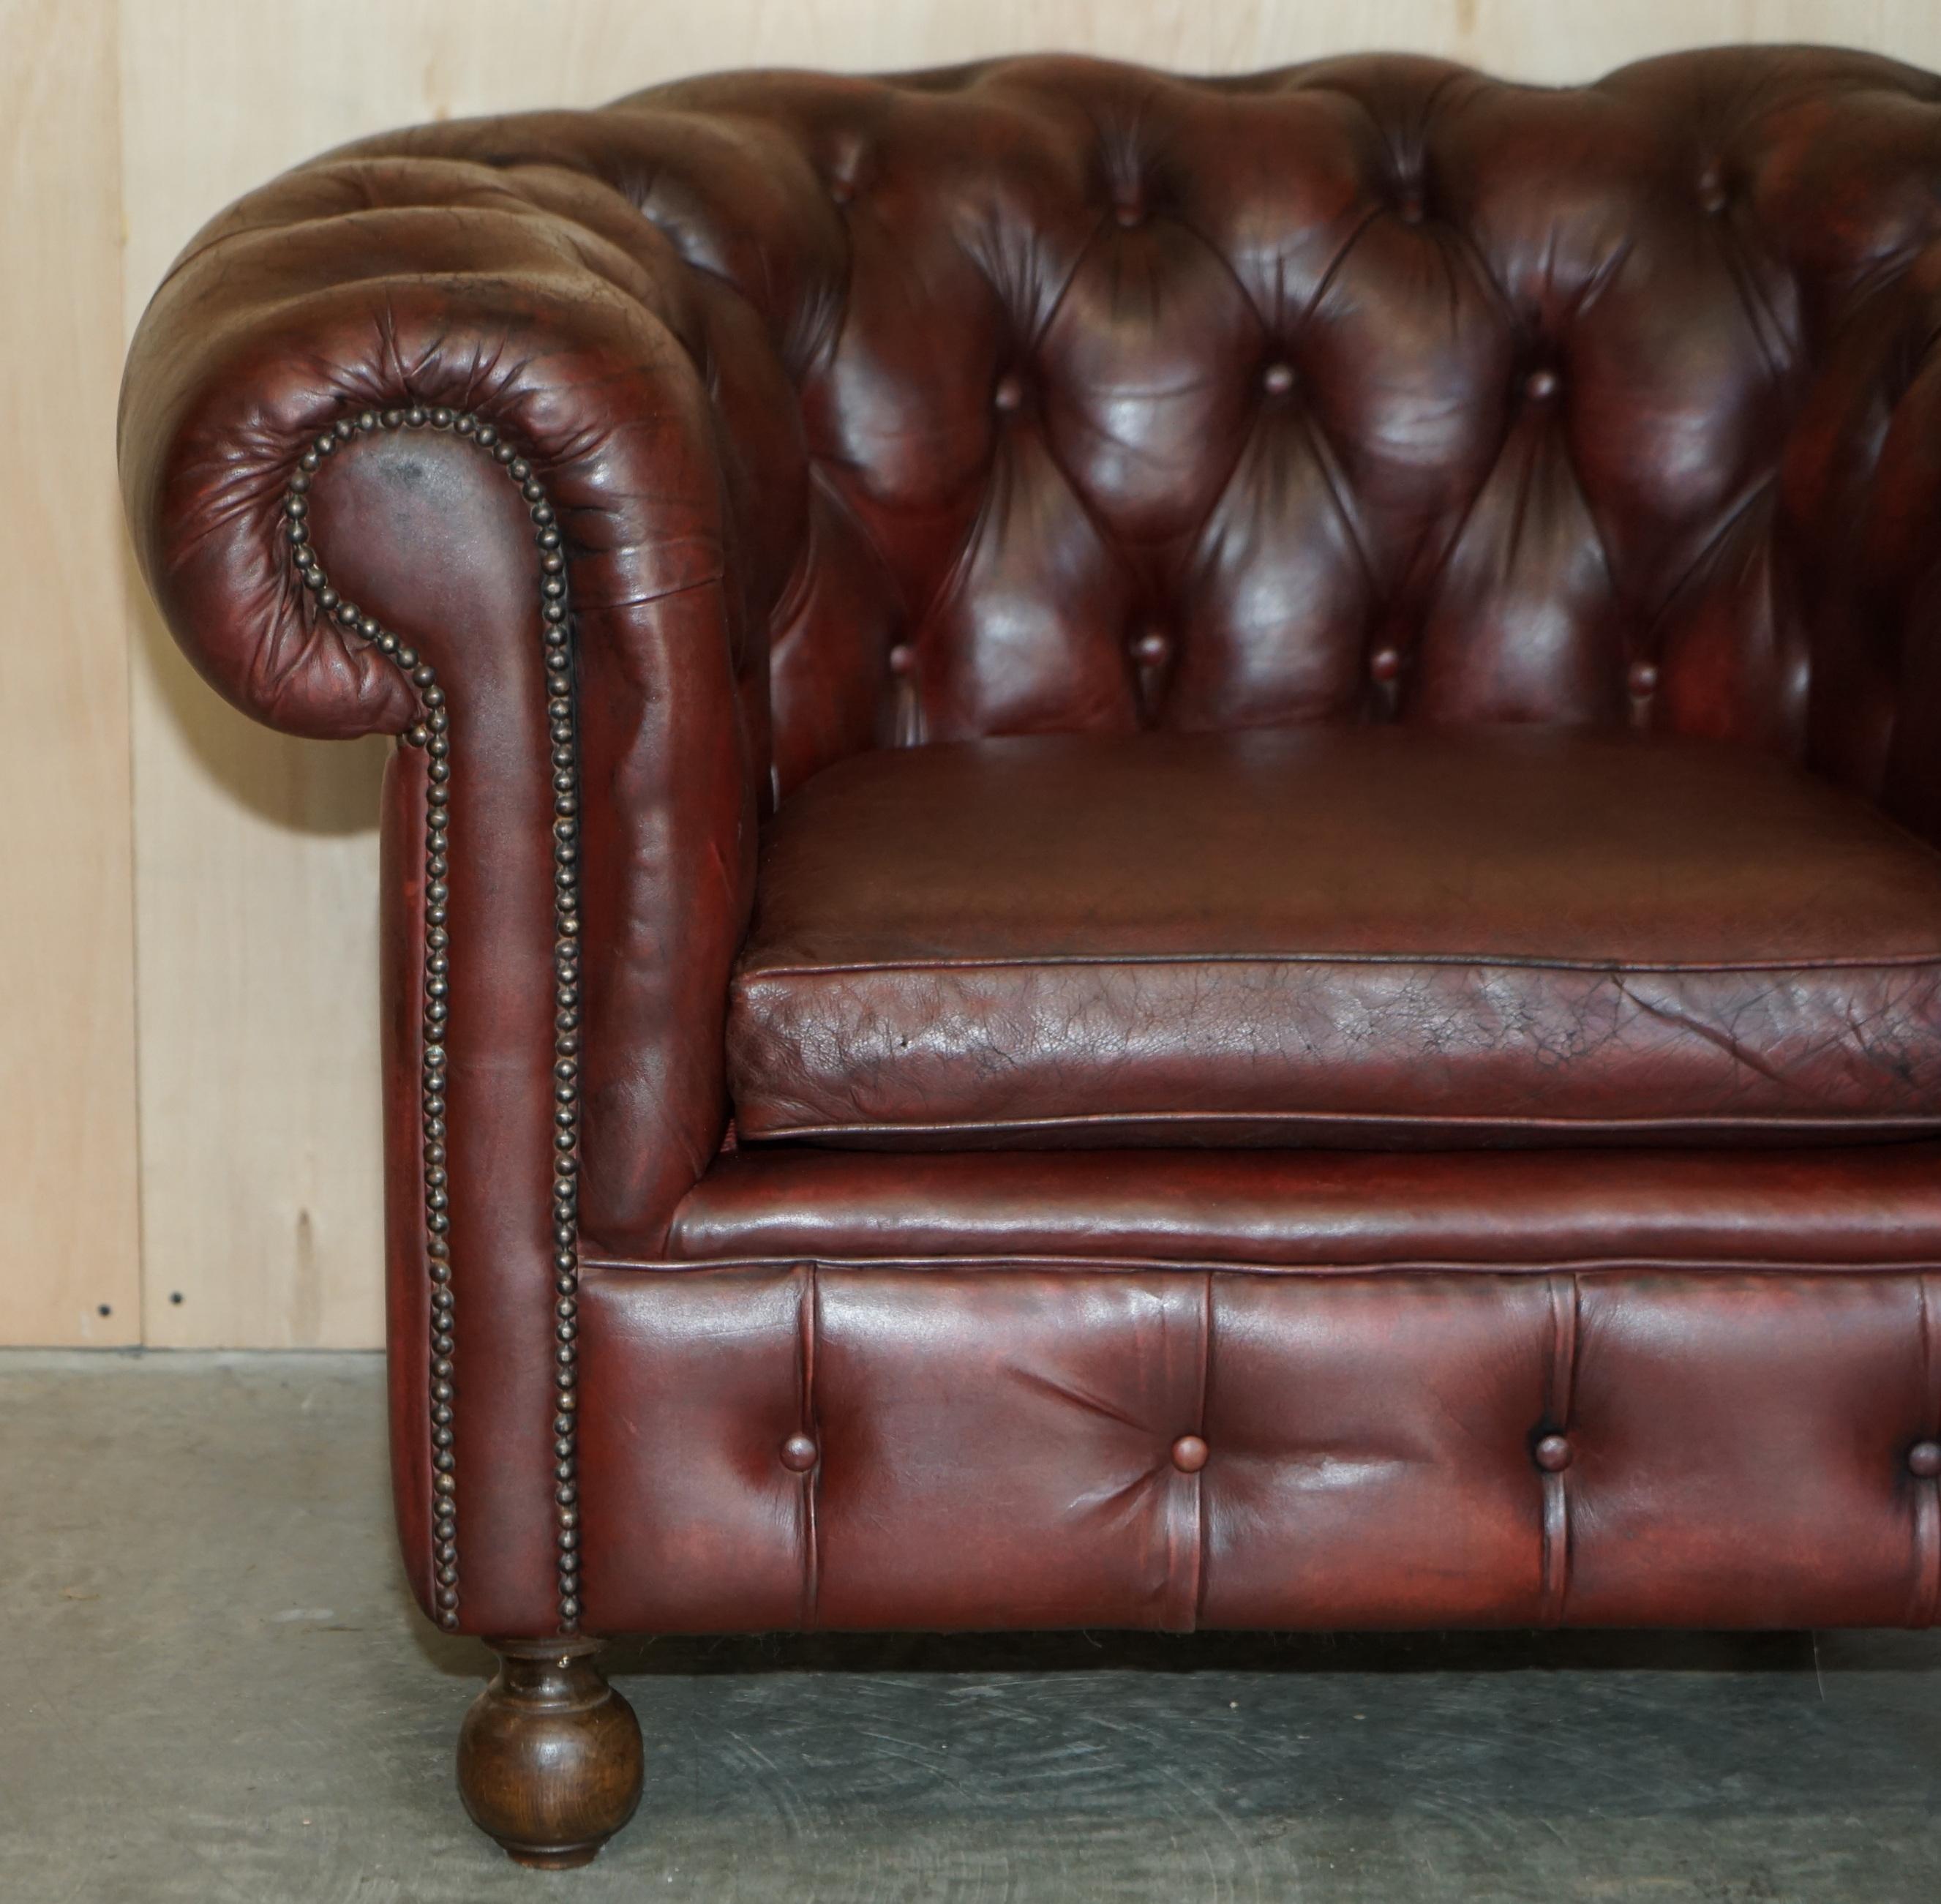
(1162, 853)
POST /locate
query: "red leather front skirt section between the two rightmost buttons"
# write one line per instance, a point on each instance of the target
(1756, 1431)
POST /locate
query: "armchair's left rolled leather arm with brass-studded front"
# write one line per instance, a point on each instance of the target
(467, 391)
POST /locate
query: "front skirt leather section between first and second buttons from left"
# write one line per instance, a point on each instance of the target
(1045, 1402)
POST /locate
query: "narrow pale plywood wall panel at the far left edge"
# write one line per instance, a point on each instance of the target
(69, 1266)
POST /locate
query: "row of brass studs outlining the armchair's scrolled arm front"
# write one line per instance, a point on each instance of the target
(432, 733)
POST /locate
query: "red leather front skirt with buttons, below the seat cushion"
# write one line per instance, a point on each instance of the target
(1057, 1445)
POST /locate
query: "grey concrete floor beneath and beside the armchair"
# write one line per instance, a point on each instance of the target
(216, 1690)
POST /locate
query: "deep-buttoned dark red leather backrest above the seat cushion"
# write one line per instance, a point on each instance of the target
(1360, 391)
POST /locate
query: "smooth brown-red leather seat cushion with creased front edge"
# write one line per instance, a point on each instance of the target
(1352, 936)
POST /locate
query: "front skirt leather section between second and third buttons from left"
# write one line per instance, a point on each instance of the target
(1373, 1451)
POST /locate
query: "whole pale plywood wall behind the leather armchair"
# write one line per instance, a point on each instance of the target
(187, 962)
